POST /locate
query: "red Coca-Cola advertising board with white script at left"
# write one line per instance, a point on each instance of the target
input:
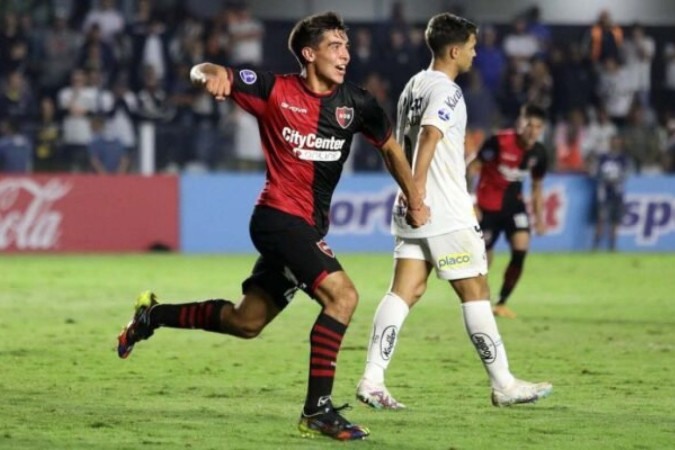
(83, 213)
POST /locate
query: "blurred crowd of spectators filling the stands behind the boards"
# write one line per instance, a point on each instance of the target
(79, 79)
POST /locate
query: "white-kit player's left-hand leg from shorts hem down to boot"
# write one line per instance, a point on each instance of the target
(408, 286)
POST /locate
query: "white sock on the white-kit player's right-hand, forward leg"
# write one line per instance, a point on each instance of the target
(482, 329)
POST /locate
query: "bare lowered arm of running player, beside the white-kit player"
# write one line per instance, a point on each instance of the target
(394, 159)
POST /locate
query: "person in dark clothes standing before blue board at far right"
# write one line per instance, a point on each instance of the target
(610, 177)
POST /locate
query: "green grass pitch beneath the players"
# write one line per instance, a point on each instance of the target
(600, 327)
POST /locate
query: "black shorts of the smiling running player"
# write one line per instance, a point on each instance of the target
(293, 255)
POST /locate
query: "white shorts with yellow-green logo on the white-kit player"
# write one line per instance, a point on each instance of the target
(455, 255)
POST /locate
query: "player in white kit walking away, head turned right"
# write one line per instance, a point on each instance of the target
(430, 127)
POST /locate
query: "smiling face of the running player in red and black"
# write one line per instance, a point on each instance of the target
(331, 58)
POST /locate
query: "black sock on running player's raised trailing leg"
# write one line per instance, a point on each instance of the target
(202, 315)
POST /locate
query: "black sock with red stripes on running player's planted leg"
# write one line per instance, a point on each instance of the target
(325, 341)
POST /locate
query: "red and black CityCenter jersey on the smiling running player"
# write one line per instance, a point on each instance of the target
(306, 137)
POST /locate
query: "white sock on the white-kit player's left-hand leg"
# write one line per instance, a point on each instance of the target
(387, 323)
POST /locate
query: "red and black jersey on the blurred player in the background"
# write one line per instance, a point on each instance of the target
(505, 164)
